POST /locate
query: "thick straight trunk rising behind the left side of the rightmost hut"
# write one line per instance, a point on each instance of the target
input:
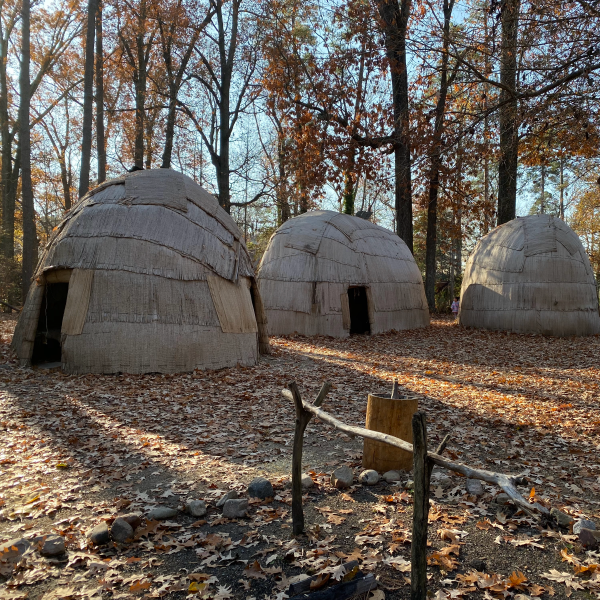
(509, 126)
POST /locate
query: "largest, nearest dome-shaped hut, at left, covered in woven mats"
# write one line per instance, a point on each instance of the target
(146, 274)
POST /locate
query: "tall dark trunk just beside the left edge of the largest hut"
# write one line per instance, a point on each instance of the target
(29, 233)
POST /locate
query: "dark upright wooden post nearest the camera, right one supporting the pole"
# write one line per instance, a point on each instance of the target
(422, 472)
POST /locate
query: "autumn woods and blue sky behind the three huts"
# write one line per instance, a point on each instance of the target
(438, 119)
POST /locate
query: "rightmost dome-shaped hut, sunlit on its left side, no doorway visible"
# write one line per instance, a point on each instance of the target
(531, 275)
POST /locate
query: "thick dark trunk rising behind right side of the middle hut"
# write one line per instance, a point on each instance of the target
(395, 18)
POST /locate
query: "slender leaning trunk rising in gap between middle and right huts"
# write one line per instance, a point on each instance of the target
(436, 163)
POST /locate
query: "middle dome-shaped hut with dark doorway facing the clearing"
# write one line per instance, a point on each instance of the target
(333, 274)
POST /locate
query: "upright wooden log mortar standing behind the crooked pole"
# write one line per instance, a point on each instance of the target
(394, 417)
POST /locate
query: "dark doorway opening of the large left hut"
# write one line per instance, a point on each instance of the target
(46, 347)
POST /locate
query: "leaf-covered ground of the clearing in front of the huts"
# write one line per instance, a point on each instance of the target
(77, 450)
